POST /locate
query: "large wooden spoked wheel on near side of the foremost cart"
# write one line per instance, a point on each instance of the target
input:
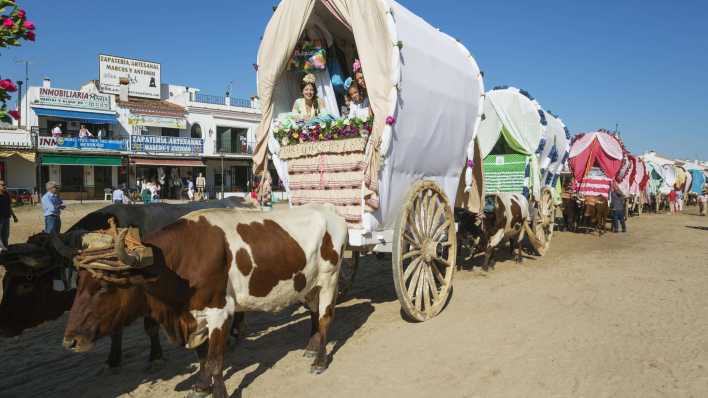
(424, 251)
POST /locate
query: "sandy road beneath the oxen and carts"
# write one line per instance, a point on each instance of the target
(625, 315)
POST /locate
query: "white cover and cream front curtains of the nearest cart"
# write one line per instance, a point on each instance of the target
(424, 78)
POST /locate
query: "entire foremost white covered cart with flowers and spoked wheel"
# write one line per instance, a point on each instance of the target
(398, 181)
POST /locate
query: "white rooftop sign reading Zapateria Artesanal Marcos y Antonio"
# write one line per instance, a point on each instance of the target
(143, 76)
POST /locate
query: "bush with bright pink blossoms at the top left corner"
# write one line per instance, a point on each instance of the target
(14, 27)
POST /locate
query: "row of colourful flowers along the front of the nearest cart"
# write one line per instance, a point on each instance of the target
(338, 129)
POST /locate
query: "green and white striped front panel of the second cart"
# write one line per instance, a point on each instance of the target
(506, 173)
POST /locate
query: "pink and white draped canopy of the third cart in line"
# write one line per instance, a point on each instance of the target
(598, 147)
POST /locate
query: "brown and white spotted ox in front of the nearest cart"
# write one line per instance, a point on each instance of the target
(208, 266)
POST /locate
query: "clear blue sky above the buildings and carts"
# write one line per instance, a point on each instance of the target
(642, 64)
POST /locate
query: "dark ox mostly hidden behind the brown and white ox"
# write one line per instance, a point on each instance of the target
(28, 298)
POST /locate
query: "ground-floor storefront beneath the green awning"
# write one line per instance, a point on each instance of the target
(83, 176)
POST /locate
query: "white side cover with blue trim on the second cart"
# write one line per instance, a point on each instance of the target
(556, 149)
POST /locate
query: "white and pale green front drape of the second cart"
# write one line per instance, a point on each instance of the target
(512, 114)
